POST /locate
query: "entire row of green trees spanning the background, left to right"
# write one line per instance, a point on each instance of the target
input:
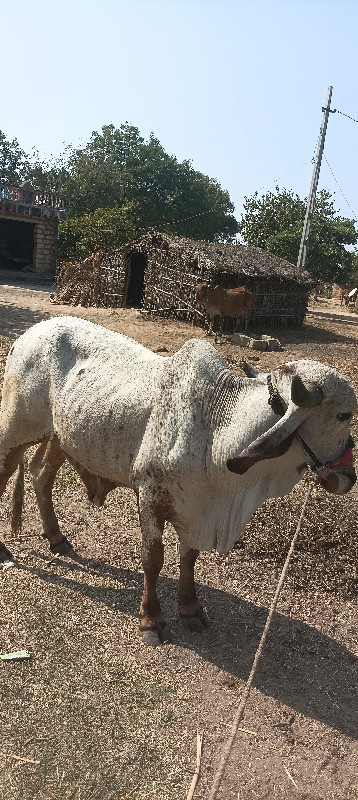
(119, 185)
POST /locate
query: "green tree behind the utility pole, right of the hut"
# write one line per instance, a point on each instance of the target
(275, 220)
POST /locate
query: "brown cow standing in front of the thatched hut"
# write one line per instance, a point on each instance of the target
(222, 302)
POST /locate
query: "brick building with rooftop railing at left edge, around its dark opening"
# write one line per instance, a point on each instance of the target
(28, 229)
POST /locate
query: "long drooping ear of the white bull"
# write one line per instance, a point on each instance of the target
(272, 444)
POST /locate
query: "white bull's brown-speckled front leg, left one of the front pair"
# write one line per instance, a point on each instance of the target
(152, 518)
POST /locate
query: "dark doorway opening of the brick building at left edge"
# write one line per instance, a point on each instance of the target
(16, 244)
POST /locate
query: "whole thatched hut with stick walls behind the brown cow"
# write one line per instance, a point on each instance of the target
(159, 272)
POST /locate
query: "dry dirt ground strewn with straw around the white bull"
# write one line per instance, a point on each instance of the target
(94, 714)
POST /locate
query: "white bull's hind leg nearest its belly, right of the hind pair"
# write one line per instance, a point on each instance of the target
(44, 467)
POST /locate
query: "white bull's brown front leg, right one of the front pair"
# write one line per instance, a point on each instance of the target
(190, 610)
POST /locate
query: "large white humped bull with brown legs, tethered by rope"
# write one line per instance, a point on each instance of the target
(200, 447)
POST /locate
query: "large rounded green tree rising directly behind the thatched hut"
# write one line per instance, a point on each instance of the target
(118, 166)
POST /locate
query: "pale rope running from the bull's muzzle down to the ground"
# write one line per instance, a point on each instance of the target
(241, 709)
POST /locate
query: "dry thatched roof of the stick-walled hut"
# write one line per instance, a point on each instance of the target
(234, 258)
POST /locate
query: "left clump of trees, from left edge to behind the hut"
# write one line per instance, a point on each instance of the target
(119, 170)
